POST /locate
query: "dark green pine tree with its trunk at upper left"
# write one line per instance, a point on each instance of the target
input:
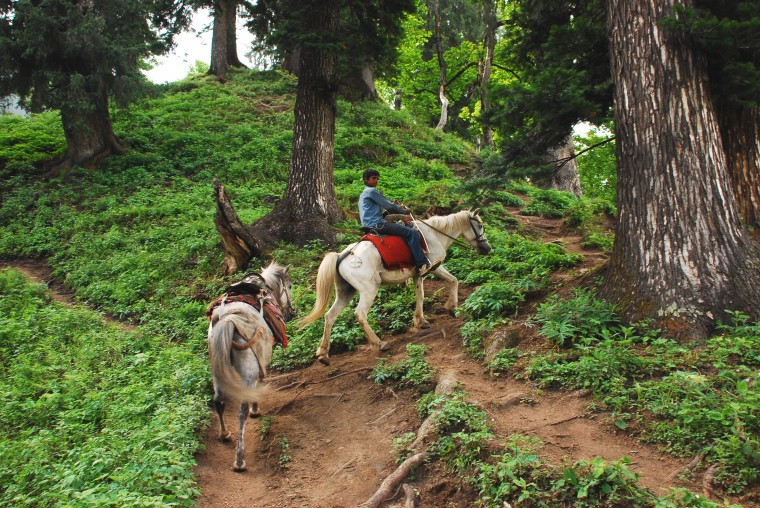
(73, 56)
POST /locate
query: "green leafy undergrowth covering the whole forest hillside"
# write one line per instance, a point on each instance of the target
(96, 414)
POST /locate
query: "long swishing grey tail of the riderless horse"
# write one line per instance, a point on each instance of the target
(219, 352)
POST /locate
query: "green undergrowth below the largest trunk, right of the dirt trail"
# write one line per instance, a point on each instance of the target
(691, 400)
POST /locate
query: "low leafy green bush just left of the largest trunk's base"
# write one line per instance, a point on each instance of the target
(567, 322)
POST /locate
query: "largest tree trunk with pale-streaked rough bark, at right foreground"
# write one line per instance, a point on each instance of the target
(681, 255)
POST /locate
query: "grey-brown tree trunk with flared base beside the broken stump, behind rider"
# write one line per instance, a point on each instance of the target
(309, 208)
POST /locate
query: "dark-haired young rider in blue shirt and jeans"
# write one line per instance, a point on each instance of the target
(371, 205)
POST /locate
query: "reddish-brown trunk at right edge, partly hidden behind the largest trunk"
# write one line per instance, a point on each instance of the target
(740, 129)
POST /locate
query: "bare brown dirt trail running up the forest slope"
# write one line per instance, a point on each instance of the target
(339, 426)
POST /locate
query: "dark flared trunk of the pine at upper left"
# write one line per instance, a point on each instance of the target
(89, 133)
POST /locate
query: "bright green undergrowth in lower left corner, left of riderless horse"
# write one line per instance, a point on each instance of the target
(91, 413)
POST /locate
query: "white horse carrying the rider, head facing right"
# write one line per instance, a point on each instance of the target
(360, 268)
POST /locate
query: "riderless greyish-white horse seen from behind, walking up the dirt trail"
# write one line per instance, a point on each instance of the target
(240, 339)
